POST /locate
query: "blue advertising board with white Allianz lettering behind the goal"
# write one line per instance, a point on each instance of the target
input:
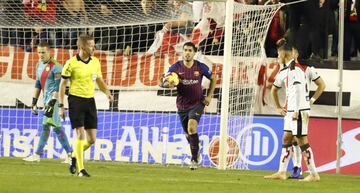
(145, 137)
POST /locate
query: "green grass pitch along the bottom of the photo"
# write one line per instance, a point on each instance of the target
(51, 176)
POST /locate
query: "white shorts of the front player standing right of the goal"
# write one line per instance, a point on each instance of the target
(297, 127)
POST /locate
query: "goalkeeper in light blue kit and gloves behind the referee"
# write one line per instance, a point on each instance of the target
(48, 74)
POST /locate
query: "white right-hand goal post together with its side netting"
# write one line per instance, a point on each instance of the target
(246, 27)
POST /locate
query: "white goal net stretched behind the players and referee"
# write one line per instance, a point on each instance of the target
(136, 42)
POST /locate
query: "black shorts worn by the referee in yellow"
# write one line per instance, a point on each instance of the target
(82, 112)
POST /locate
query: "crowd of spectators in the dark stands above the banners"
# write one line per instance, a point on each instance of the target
(311, 25)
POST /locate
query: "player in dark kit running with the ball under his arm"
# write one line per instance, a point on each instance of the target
(190, 100)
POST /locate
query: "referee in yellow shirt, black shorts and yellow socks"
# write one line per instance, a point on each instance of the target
(82, 70)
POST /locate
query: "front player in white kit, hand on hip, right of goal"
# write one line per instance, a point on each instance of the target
(296, 112)
